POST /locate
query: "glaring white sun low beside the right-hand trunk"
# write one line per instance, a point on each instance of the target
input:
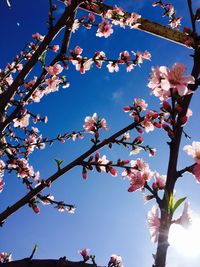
(186, 241)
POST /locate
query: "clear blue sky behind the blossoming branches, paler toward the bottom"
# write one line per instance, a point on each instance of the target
(108, 219)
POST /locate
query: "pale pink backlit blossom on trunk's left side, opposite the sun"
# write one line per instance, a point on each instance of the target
(153, 223)
